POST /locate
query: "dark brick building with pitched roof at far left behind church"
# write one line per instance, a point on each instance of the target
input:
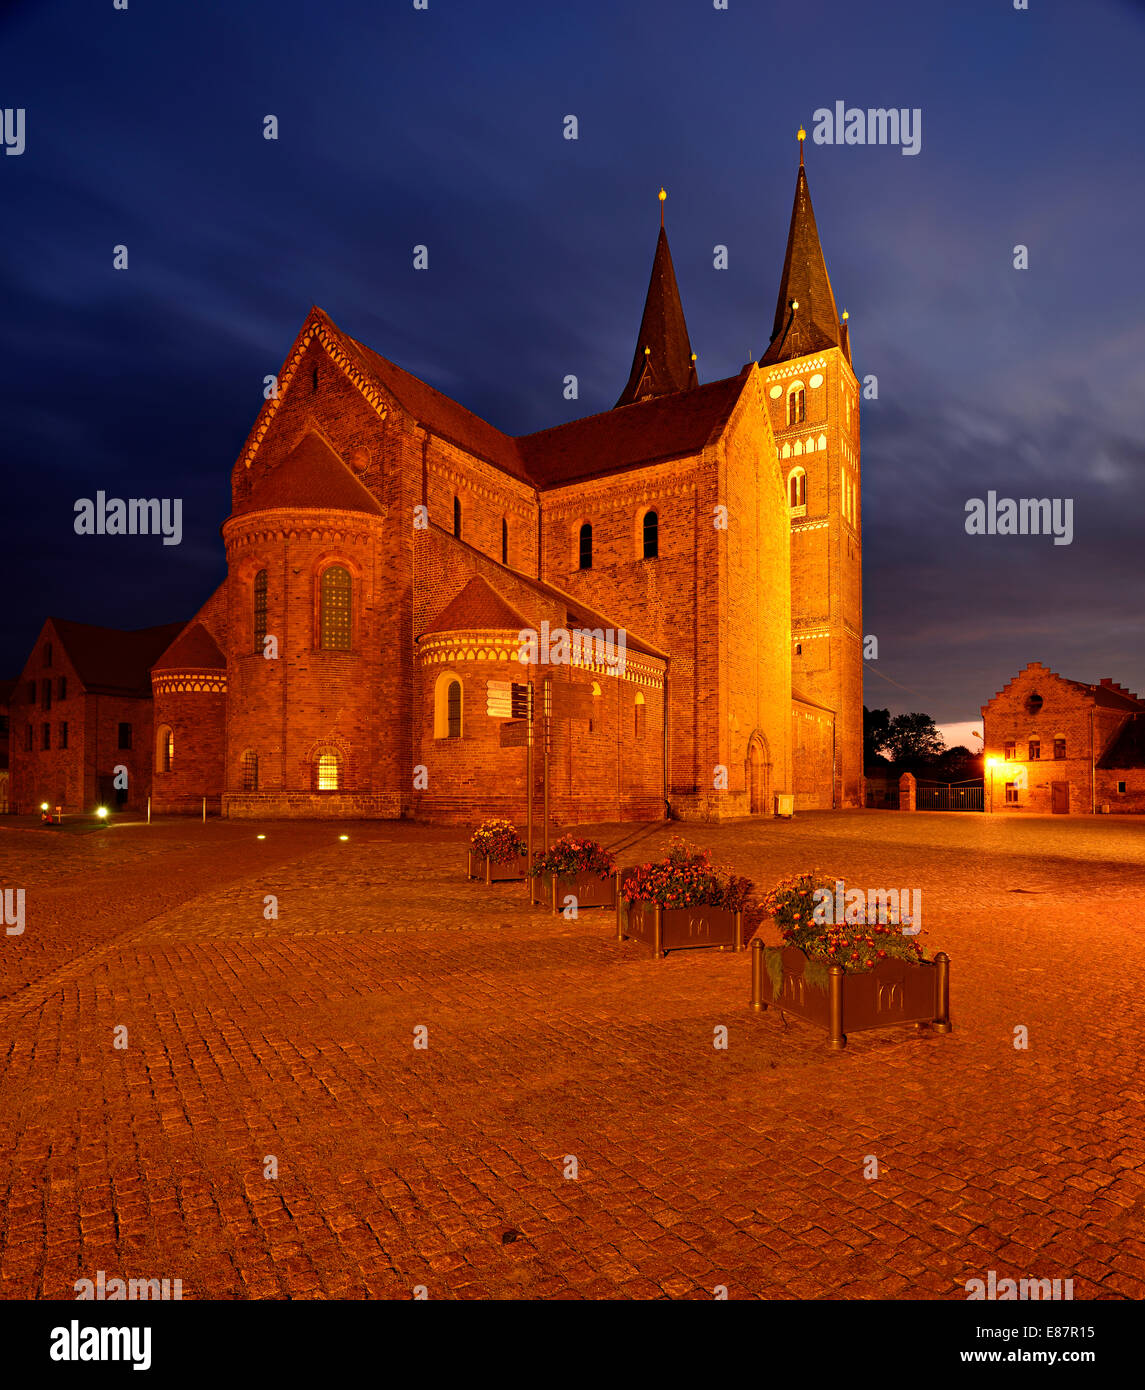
(80, 718)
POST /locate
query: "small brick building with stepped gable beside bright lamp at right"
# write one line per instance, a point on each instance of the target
(1064, 747)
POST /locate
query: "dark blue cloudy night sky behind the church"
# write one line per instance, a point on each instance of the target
(444, 127)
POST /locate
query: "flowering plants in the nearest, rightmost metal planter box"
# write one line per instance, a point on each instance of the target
(805, 911)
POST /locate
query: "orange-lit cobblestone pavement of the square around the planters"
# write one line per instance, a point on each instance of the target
(447, 1167)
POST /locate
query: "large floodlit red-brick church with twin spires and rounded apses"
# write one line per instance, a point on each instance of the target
(387, 548)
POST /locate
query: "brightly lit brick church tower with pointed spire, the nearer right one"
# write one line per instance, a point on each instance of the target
(814, 400)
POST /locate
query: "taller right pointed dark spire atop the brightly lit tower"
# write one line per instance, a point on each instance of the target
(807, 319)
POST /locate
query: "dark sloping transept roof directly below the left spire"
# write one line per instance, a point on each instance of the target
(648, 432)
